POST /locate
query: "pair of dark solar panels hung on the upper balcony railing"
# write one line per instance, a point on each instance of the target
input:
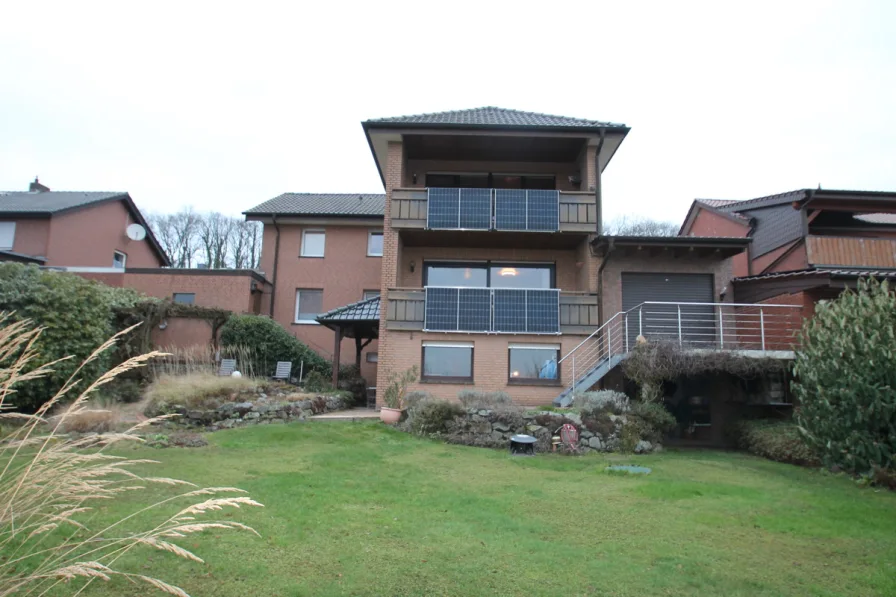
(493, 209)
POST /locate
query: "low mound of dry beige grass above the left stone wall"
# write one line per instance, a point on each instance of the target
(197, 391)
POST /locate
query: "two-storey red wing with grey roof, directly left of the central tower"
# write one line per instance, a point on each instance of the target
(323, 251)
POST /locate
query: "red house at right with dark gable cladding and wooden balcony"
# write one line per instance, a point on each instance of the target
(806, 245)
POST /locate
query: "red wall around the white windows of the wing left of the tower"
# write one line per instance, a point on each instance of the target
(344, 273)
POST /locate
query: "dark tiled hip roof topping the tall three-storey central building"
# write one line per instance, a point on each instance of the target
(497, 117)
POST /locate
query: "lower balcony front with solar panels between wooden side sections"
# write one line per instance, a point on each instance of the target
(491, 310)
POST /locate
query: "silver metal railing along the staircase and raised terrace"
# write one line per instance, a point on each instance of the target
(694, 326)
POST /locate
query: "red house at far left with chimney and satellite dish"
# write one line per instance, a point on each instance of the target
(74, 229)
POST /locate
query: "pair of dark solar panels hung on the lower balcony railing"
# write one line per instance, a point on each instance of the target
(496, 310)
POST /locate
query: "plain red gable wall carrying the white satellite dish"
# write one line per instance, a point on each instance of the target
(88, 237)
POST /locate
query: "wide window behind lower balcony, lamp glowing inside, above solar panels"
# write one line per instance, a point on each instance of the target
(489, 275)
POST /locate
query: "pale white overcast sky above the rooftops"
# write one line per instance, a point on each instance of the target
(222, 107)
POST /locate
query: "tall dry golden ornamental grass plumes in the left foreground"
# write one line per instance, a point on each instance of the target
(49, 481)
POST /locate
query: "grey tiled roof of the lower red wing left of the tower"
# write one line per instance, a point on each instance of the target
(323, 204)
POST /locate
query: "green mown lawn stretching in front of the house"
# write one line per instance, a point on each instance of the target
(359, 509)
